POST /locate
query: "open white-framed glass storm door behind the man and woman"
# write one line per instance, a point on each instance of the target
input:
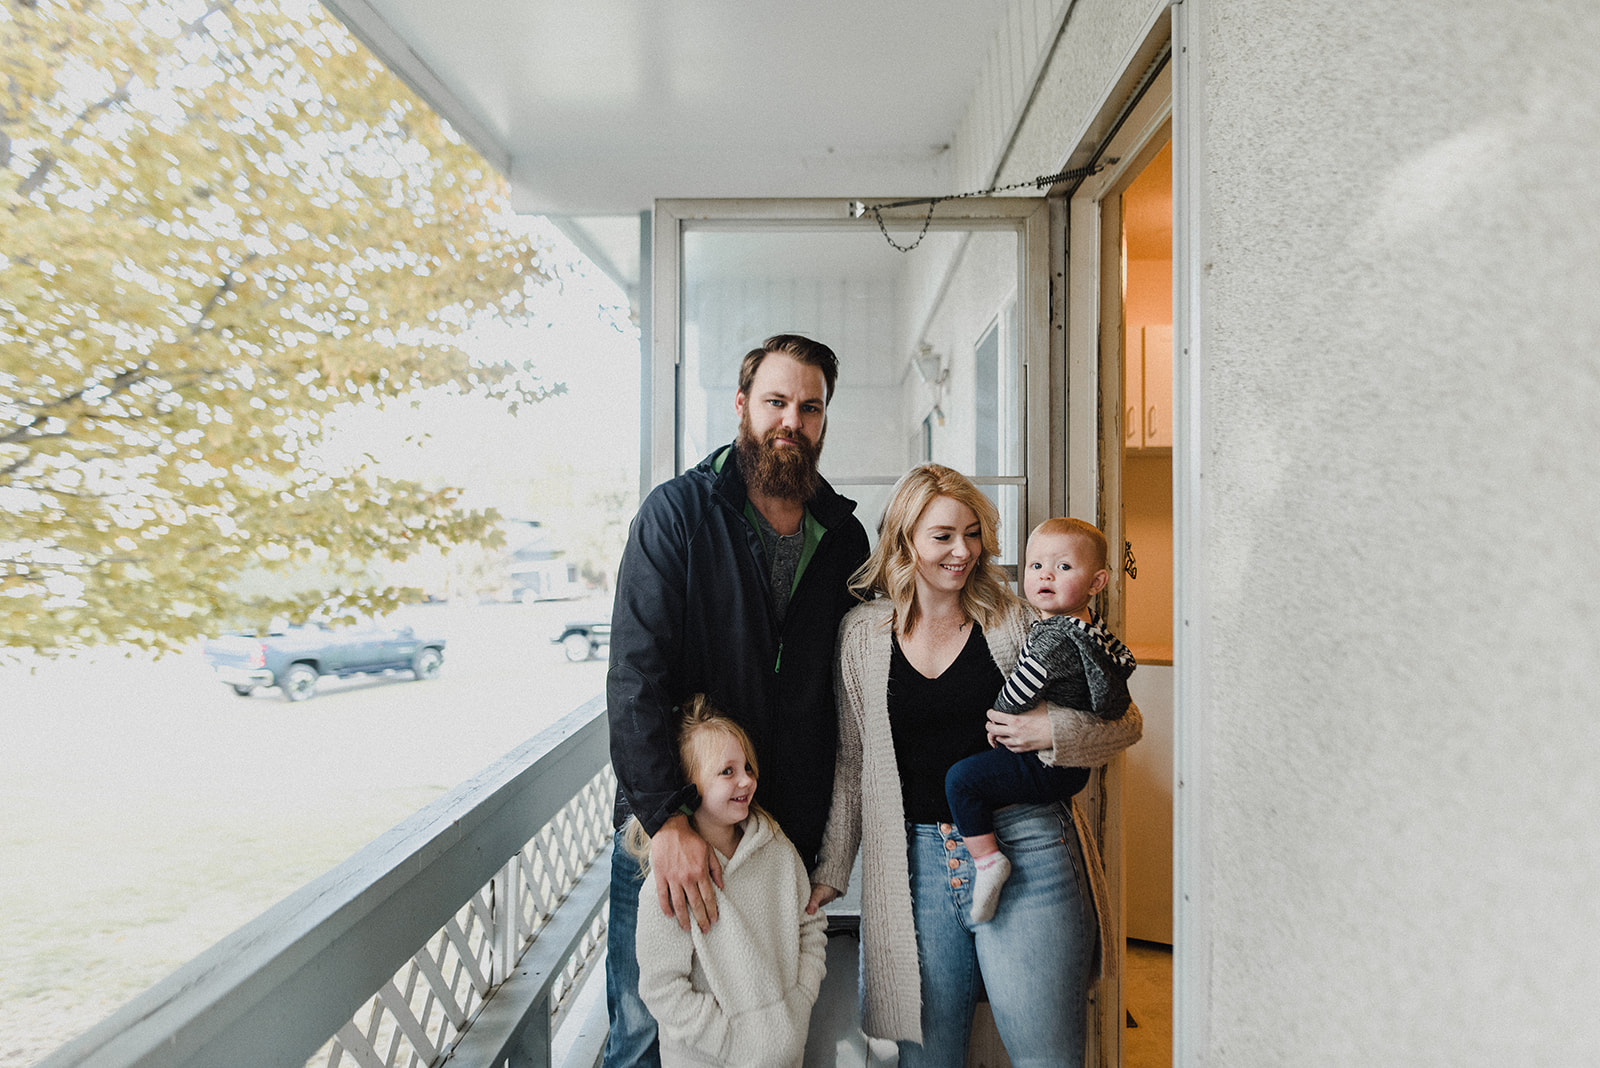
(937, 345)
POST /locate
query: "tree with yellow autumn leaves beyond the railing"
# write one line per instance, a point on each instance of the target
(220, 223)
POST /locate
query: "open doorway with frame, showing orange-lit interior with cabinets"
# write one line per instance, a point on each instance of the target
(1121, 359)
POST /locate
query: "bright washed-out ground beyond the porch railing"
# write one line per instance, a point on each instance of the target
(148, 811)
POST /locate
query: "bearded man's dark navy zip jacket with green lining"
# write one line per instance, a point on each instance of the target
(695, 615)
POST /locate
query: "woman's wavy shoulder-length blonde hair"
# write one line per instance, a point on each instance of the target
(892, 568)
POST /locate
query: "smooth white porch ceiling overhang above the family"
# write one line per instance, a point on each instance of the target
(594, 111)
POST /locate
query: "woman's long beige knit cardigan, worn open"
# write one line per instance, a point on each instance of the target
(868, 807)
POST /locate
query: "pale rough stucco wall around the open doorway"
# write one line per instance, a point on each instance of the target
(1399, 578)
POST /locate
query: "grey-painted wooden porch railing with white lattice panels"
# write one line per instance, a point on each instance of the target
(458, 938)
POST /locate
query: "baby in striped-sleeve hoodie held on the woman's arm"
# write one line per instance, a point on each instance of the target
(1068, 660)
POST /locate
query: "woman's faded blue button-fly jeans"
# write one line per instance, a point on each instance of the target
(1034, 957)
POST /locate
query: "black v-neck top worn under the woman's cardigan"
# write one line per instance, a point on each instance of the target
(937, 722)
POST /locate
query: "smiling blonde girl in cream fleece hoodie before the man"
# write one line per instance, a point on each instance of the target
(740, 994)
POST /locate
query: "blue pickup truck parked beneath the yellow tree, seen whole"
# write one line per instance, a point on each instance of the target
(295, 658)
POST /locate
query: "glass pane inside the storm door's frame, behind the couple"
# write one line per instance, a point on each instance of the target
(926, 341)
